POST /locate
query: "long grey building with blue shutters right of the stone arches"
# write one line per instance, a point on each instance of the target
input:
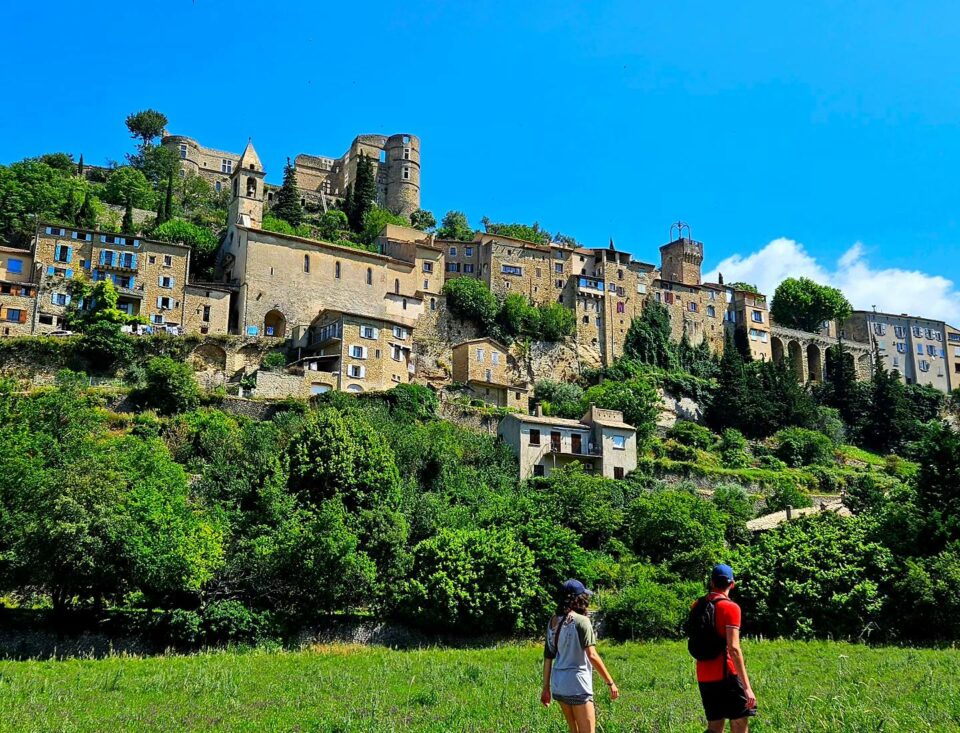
(914, 347)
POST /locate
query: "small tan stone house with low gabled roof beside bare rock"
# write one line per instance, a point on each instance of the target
(484, 366)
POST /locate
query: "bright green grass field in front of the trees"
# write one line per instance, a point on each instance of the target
(802, 687)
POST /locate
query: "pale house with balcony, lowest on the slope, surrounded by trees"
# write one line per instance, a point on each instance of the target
(600, 441)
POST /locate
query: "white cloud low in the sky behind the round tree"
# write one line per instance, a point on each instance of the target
(891, 290)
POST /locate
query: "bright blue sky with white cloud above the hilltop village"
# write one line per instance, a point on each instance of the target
(811, 138)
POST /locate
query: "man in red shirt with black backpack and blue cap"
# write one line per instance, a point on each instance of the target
(724, 685)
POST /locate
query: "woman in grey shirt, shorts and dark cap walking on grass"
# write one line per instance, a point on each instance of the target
(569, 657)
